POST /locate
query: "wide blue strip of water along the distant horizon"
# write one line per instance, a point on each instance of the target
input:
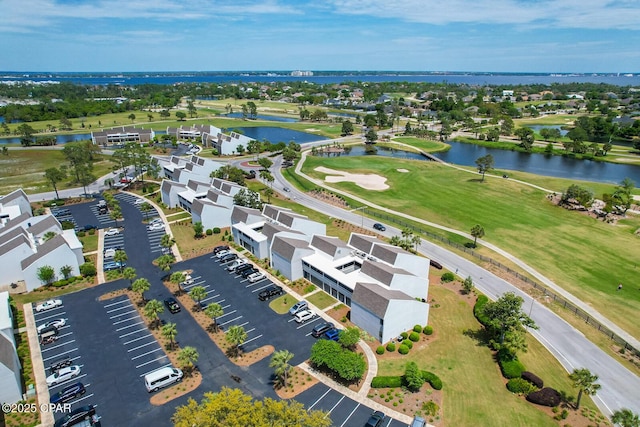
(131, 79)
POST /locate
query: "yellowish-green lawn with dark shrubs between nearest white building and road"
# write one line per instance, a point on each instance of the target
(474, 391)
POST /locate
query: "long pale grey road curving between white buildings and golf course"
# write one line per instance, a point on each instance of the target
(620, 387)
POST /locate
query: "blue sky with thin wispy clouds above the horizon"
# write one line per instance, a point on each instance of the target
(413, 35)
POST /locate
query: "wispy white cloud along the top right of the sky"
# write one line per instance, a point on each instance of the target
(588, 14)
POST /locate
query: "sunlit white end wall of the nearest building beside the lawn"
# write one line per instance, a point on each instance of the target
(401, 316)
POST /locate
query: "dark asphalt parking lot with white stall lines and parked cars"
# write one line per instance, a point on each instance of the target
(113, 346)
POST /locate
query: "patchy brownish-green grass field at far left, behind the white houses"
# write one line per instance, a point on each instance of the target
(25, 169)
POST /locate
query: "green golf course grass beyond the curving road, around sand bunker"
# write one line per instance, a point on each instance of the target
(577, 252)
